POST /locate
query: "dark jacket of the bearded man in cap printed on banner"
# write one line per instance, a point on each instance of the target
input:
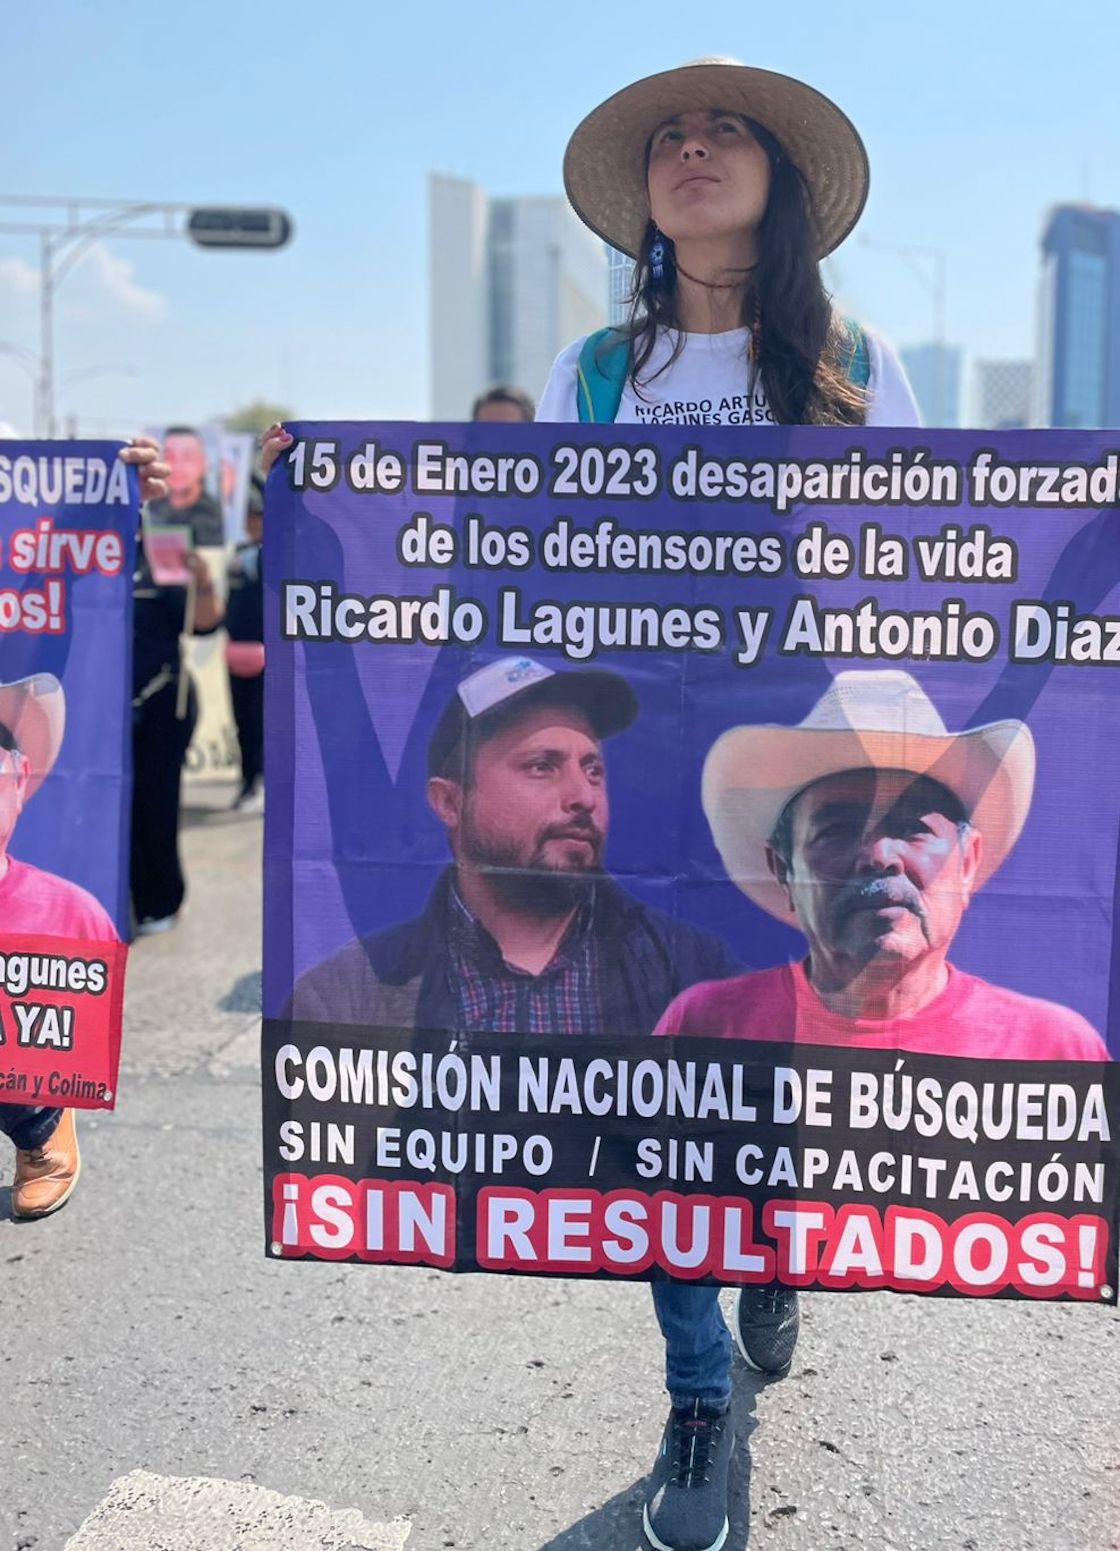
(401, 978)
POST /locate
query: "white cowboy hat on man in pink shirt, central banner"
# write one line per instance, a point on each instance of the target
(879, 720)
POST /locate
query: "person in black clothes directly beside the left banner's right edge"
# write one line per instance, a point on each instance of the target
(162, 727)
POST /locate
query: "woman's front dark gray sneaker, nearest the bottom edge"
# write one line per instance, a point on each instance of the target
(686, 1505)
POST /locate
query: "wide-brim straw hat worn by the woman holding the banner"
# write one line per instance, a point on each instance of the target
(606, 159)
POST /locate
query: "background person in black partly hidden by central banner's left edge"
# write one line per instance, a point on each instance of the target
(244, 654)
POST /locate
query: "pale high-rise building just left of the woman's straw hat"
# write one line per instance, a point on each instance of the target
(511, 283)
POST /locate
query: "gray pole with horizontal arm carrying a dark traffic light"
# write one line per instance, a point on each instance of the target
(67, 229)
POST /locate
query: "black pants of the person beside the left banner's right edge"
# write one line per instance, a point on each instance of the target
(159, 747)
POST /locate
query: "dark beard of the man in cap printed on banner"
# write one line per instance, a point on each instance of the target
(525, 879)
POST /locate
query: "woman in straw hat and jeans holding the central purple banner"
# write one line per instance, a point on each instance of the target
(727, 185)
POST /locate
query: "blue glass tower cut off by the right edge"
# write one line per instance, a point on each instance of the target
(1079, 319)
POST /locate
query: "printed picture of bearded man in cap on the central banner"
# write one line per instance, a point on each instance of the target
(524, 933)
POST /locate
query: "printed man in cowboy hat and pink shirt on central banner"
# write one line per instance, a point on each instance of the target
(873, 827)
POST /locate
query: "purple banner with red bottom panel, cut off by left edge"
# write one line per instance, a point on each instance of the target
(69, 519)
